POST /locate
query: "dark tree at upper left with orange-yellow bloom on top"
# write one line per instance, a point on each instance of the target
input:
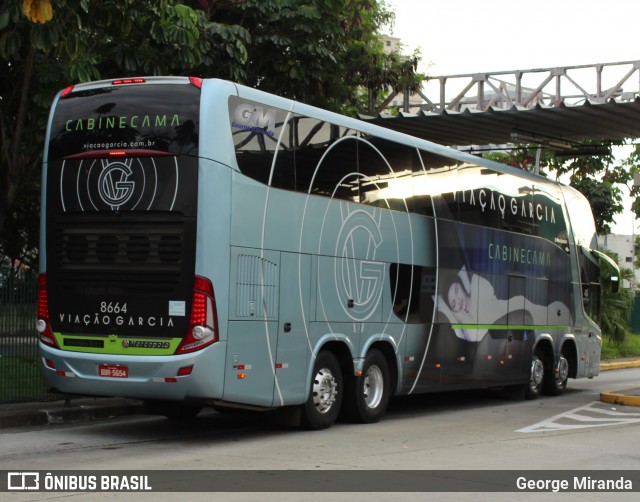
(45, 48)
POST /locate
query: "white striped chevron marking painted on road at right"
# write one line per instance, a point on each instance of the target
(595, 414)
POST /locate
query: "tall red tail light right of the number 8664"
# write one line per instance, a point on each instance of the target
(203, 324)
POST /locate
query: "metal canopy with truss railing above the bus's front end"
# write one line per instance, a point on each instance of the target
(555, 107)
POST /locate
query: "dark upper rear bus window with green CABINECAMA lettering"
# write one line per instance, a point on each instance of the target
(156, 117)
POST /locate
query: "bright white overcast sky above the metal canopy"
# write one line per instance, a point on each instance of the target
(470, 36)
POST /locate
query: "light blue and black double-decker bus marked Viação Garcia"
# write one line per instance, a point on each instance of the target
(208, 244)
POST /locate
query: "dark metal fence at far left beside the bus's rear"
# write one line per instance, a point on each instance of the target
(20, 378)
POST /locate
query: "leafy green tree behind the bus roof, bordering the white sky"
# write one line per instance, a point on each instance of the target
(328, 53)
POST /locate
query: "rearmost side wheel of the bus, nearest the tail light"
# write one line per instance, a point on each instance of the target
(325, 395)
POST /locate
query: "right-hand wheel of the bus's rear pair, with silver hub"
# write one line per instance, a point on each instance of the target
(367, 396)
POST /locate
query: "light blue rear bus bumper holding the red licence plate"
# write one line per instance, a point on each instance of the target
(199, 375)
